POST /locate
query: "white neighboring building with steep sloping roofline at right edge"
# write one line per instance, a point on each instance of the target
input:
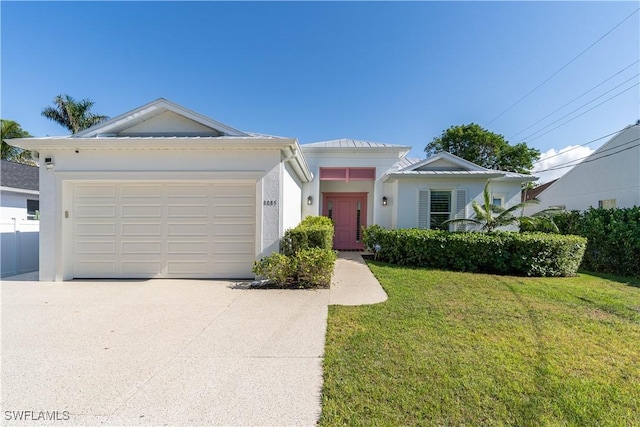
(608, 178)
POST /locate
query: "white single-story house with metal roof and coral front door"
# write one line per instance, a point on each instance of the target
(162, 191)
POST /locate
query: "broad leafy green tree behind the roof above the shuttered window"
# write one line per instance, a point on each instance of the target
(478, 145)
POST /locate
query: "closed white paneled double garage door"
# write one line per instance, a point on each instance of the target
(164, 230)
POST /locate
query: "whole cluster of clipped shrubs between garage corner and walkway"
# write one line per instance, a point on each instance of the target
(306, 259)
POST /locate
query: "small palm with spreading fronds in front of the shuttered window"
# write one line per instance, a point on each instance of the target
(489, 216)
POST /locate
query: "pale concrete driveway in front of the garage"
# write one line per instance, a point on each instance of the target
(162, 352)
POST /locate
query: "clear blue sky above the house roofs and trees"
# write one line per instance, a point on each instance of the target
(386, 72)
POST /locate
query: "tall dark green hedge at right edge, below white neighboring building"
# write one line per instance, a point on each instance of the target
(613, 238)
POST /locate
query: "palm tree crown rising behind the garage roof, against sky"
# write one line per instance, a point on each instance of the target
(71, 114)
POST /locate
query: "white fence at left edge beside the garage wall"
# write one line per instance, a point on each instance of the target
(19, 246)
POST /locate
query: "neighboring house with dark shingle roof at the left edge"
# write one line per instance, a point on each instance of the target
(19, 192)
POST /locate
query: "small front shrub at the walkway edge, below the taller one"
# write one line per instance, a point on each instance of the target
(315, 267)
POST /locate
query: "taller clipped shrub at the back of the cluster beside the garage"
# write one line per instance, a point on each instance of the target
(312, 232)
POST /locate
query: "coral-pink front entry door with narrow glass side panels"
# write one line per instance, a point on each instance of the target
(349, 214)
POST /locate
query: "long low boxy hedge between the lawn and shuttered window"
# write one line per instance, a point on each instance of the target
(525, 254)
